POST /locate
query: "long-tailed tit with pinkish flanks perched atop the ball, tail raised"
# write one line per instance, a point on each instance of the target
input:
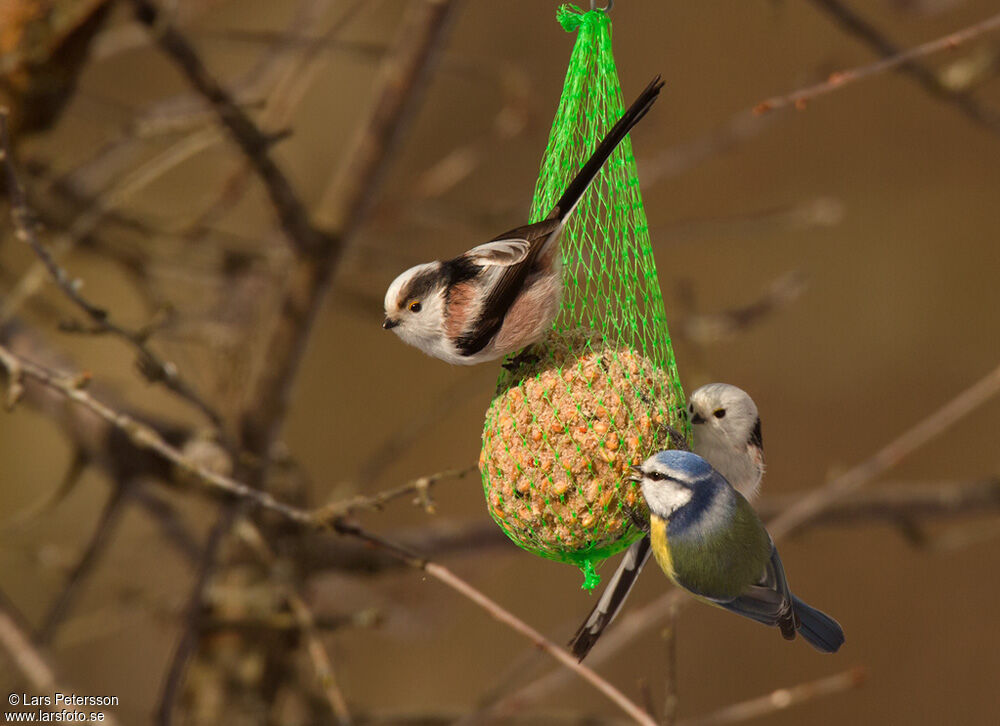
(501, 296)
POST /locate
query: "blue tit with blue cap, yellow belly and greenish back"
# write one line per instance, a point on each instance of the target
(709, 541)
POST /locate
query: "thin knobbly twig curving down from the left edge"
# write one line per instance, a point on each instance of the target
(154, 368)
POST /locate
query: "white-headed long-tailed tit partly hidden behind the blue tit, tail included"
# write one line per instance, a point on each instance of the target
(727, 434)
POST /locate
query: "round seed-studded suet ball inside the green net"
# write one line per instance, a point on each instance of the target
(572, 416)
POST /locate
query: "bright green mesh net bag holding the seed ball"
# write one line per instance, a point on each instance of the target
(573, 413)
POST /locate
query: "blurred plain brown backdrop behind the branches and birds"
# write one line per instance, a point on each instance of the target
(882, 197)
